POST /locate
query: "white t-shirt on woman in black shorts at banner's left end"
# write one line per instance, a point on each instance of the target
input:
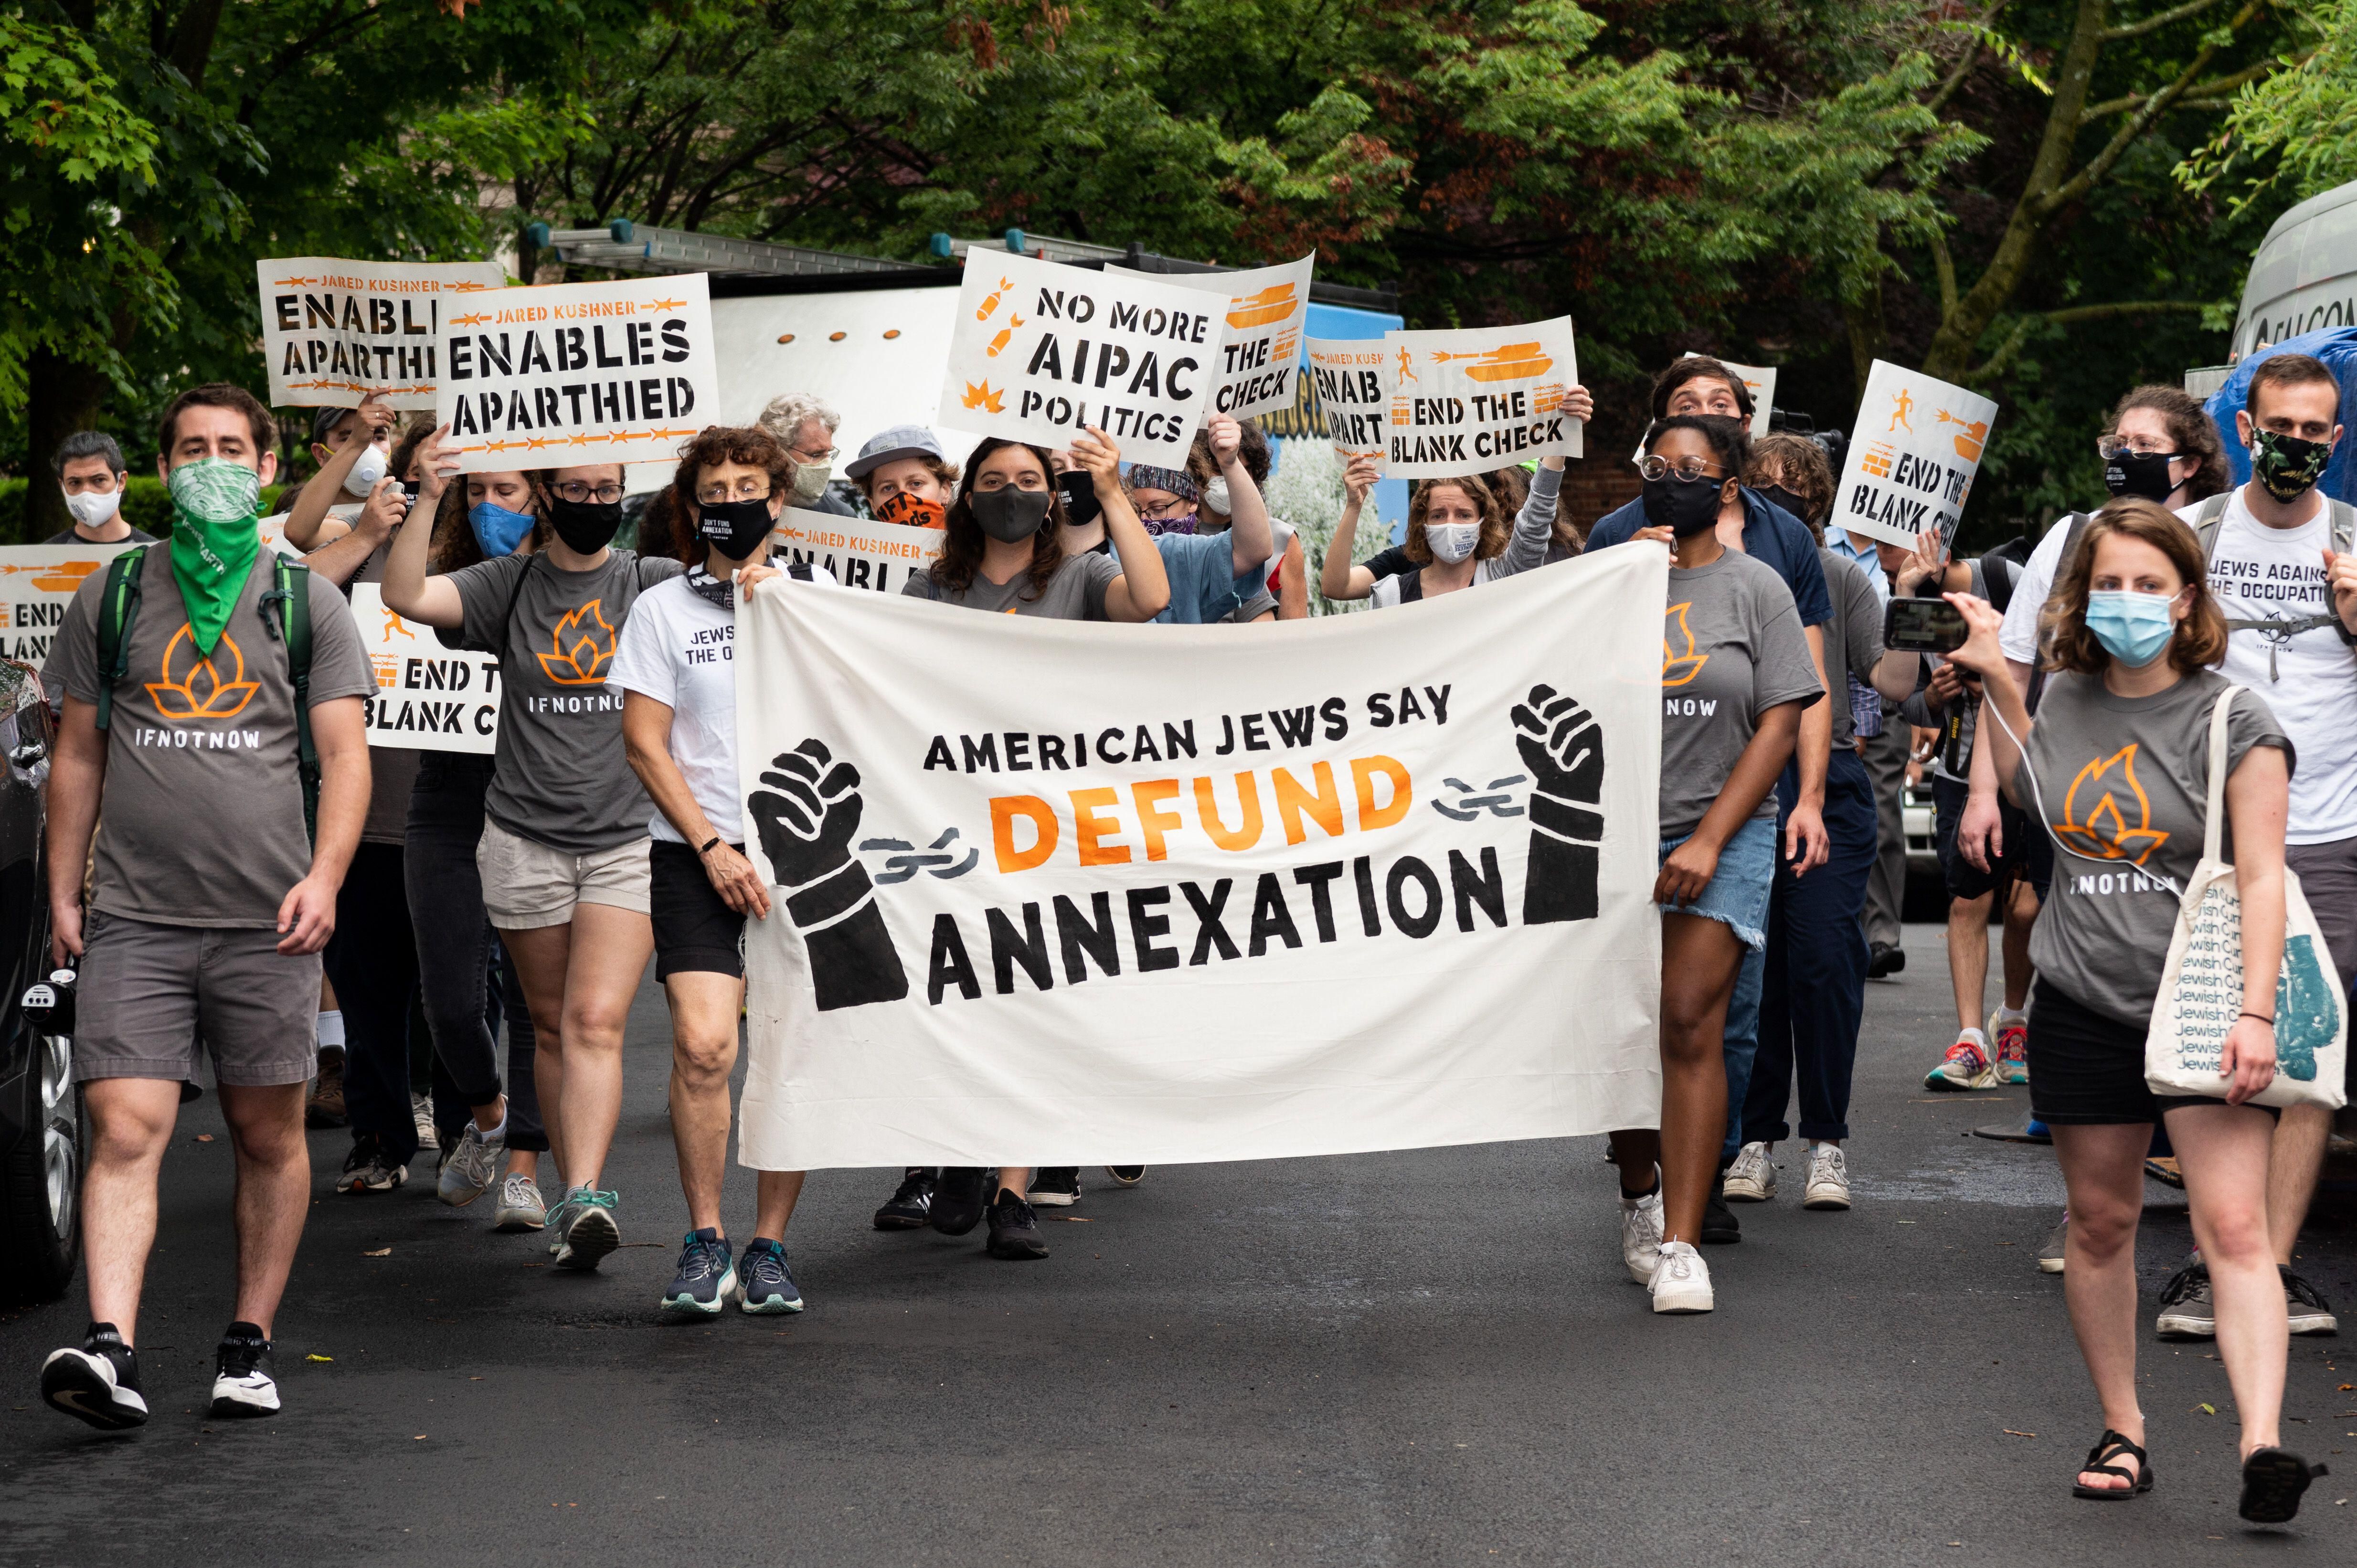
(680, 650)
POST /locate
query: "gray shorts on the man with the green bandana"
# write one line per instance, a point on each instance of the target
(154, 1001)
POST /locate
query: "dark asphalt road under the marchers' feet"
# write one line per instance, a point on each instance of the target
(1422, 1357)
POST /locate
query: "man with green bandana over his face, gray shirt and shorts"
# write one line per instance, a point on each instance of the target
(209, 902)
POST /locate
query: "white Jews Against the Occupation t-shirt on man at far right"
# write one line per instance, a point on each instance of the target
(2309, 680)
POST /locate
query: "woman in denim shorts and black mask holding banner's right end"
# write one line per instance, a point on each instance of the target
(1736, 676)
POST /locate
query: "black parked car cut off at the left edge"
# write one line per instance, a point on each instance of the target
(41, 1114)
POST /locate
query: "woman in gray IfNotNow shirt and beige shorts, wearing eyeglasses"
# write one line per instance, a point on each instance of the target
(565, 838)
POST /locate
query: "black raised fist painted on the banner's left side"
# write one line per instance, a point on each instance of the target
(807, 817)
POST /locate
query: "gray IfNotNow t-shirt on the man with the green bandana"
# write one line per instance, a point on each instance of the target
(202, 815)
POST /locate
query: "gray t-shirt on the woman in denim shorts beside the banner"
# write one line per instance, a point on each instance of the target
(1731, 650)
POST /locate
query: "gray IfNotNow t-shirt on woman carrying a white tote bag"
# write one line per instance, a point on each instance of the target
(2122, 786)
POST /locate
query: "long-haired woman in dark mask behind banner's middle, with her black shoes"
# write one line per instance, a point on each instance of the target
(1005, 553)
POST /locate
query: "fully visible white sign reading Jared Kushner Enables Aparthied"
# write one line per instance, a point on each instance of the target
(543, 378)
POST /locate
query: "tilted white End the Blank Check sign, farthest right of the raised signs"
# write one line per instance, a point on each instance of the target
(1913, 456)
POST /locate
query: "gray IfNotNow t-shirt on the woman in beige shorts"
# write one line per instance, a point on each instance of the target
(562, 777)
